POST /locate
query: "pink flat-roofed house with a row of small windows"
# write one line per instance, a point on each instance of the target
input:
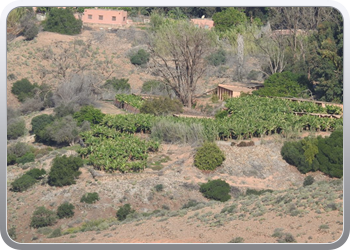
(102, 16)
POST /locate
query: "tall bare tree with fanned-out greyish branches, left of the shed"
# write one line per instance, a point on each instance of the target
(178, 50)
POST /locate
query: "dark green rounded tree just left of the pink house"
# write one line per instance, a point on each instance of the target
(62, 21)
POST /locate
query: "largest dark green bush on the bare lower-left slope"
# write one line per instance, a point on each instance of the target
(64, 170)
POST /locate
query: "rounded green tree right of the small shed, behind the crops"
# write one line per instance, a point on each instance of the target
(285, 84)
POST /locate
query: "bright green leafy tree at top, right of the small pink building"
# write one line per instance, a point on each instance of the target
(228, 18)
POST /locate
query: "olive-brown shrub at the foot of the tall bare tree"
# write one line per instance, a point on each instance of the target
(161, 106)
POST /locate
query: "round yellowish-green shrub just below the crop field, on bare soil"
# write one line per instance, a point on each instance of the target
(209, 157)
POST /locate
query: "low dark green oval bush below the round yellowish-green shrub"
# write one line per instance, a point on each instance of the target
(216, 190)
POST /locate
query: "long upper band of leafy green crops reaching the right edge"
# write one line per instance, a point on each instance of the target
(251, 116)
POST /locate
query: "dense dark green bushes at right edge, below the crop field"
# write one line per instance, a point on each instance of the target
(312, 154)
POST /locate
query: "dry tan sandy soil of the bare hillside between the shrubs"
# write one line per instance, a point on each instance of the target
(257, 167)
